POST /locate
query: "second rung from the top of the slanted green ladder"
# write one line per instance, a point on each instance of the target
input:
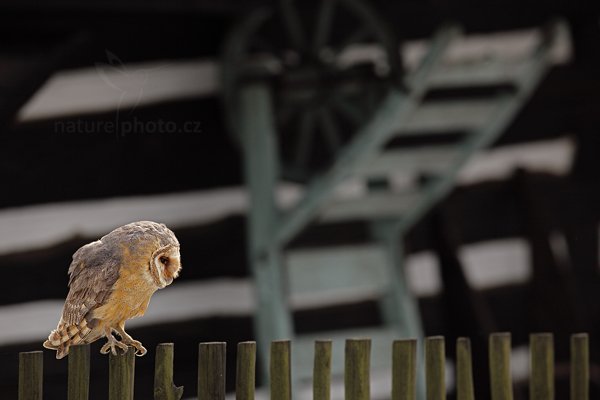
(451, 115)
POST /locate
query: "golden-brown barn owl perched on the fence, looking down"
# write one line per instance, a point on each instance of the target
(111, 280)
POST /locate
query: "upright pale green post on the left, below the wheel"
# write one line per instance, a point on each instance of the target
(273, 321)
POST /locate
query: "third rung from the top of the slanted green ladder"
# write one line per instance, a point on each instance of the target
(424, 159)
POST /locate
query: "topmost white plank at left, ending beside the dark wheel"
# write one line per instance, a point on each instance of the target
(109, 87)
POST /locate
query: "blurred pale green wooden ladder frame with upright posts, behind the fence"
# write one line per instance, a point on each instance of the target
(281, 274)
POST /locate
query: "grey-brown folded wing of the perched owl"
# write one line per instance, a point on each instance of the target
(93, 273)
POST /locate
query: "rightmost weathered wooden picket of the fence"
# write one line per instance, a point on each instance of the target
(580, 367)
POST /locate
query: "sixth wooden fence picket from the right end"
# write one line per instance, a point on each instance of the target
(404, 369)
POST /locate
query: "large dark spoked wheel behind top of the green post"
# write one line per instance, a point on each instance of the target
(329, 64)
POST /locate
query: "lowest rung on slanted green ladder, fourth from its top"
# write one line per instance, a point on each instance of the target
(371, 206)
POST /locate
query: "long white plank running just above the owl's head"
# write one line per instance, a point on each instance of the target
(34, 226)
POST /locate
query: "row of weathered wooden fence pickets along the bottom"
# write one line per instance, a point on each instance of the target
(211, 370)
